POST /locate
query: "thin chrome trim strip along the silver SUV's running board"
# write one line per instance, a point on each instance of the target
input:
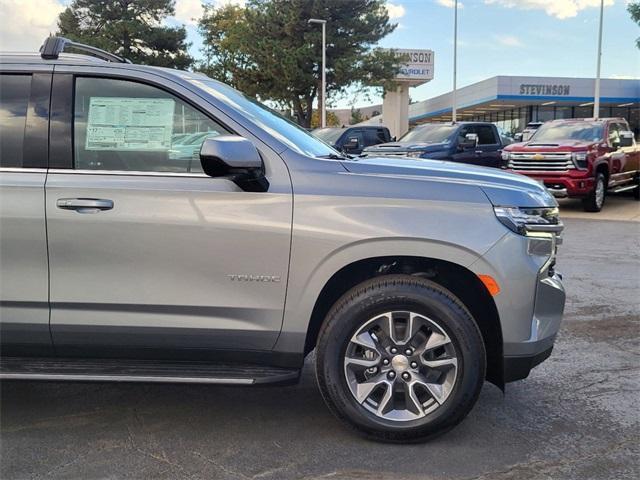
(125, 378)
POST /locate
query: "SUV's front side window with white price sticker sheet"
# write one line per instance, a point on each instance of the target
(130, 126)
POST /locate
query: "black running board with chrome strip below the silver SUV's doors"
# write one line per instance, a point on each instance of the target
(157, 371)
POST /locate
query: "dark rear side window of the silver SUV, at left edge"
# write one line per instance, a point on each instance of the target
(14, 102)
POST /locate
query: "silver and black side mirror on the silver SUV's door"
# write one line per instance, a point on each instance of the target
(235, 158)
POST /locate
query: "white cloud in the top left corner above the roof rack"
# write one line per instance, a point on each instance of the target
(25, 25)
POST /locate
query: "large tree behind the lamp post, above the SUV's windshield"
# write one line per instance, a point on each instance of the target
(268, 50)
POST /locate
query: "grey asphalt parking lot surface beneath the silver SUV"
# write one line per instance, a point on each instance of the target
(575, 417)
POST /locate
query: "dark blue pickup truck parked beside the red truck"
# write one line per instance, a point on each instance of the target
(475, 143)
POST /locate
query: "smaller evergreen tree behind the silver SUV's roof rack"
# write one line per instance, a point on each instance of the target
(130, 28)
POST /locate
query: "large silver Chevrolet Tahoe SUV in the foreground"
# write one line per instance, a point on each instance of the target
(157, 225)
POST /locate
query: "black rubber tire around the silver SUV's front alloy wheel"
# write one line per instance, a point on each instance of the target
(405, 293)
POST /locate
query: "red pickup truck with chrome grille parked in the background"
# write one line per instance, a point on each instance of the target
(584, 158)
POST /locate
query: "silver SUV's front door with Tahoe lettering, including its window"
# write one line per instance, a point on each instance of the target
(147, 254)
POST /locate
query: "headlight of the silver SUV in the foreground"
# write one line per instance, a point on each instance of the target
(530, 221)
